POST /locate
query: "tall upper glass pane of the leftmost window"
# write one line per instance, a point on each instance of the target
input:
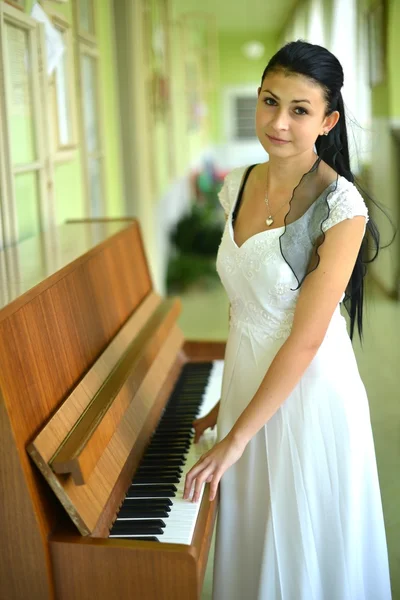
(19, 93)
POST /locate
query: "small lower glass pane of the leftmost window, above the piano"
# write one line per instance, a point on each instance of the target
(27, 204)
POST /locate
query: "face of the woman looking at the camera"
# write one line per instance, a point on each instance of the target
(291, 108)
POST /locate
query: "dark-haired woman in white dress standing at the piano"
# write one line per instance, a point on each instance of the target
(300, 507)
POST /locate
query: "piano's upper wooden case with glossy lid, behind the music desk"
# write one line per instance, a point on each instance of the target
(61, 308)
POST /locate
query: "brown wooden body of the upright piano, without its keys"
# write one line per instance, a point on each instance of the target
(71, 301)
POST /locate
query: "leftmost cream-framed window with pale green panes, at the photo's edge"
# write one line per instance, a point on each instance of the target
(25, 165)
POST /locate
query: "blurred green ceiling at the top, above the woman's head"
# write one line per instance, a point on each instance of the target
(239, 15)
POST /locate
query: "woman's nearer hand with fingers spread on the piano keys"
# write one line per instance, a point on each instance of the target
(211, 466)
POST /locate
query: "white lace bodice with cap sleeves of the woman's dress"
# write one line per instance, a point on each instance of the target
(259, 283)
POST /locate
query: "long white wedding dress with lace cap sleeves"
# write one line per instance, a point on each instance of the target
(300, 513)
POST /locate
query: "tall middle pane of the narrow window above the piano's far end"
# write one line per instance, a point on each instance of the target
(89, 72)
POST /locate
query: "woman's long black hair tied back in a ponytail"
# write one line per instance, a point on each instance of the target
(322, 67)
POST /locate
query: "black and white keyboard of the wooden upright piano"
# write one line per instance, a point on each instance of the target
(153, 508)
